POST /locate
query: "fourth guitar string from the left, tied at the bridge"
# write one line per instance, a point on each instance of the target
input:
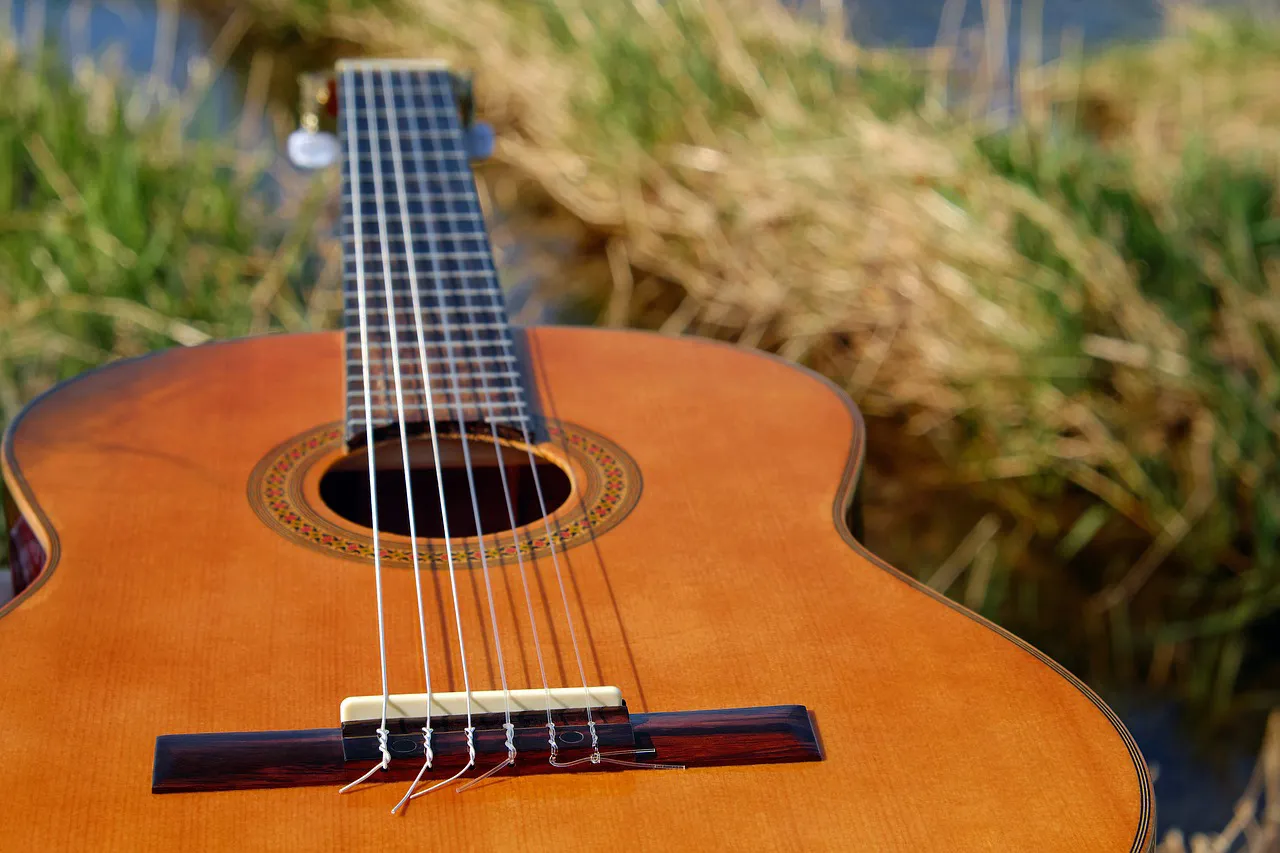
(442, 304)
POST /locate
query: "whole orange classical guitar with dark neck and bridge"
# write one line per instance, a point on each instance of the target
(442, 581)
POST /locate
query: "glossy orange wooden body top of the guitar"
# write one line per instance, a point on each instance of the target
(175, 601)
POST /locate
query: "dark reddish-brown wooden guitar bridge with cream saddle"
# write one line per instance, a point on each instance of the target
(249, 760)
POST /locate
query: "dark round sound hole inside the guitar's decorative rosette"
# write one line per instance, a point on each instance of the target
(345, 489)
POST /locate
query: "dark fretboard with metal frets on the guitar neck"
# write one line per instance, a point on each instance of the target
(419, 282)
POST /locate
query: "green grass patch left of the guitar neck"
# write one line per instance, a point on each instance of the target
(122, 234)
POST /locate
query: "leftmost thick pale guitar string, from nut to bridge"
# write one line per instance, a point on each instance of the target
(354, 177)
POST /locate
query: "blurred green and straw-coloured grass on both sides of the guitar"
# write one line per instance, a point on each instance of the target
(1064, 326)
